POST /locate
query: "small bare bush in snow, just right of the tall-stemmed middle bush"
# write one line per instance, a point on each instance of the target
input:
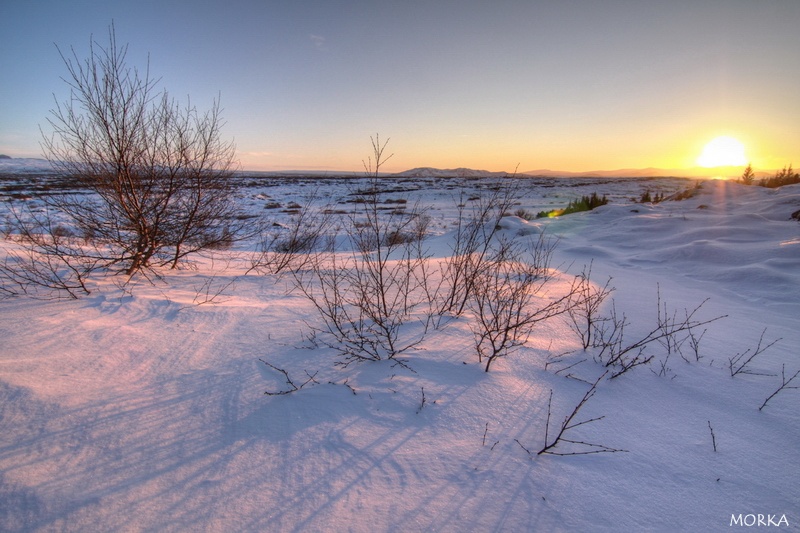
(508, 299)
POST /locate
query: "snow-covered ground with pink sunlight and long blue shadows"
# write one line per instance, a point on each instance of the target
(142, 408)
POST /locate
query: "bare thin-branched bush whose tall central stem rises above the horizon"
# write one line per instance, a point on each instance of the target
(373, 300)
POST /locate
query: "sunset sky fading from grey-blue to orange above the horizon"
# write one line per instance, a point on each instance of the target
(572, 85)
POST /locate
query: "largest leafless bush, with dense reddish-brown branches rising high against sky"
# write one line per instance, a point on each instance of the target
(155, 177)
